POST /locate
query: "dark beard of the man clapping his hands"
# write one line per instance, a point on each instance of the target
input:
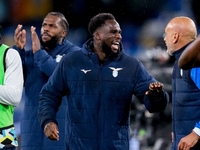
(49, 45)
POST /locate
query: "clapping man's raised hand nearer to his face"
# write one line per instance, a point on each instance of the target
(35, 40)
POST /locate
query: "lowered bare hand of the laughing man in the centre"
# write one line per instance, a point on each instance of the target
(51, 131)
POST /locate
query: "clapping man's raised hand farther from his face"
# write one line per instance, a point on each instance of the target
(20, 37)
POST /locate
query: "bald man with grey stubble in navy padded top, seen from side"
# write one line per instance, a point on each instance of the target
(180, 32)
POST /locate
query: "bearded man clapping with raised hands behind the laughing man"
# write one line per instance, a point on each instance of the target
(38, 65)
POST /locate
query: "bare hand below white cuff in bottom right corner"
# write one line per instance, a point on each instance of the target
(188, 141)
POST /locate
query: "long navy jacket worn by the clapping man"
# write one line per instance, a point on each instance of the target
(38, 67)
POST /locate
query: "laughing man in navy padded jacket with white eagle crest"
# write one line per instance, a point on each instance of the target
(99, 81)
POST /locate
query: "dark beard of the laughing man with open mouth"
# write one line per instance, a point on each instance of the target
(108, 51)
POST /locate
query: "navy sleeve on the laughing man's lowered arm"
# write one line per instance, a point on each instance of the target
(50, 97)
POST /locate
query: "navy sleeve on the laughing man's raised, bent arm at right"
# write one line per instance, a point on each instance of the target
(155, 101)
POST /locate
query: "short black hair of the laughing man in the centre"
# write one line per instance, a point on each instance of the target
(99, 20)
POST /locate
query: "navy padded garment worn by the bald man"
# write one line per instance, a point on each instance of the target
(185, 101)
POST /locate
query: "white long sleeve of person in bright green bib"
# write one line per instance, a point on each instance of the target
(11, 91)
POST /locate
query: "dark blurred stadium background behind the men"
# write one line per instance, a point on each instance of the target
(142, 23)
